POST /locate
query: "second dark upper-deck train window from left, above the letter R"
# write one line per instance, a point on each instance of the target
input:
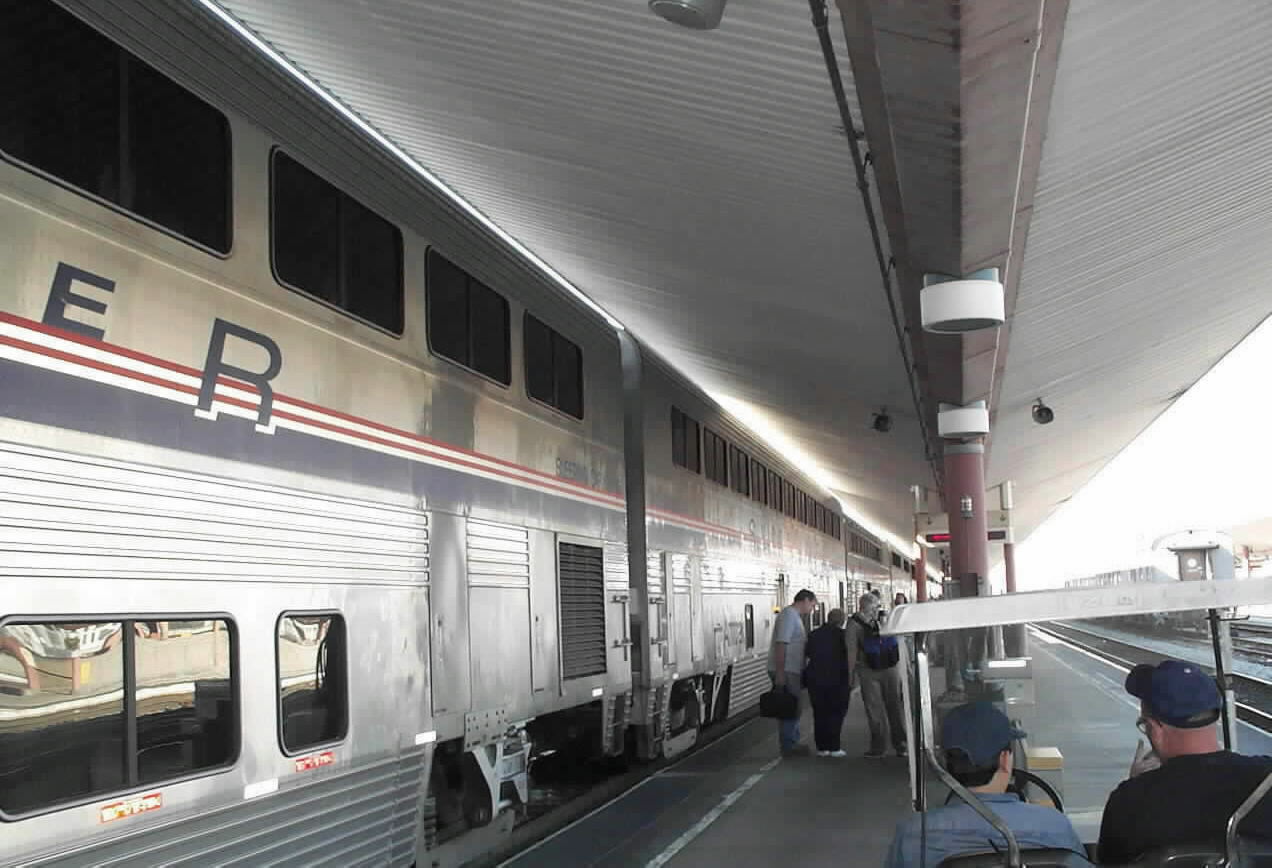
(330, 246)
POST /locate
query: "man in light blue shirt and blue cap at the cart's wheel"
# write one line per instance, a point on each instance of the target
(976, 740)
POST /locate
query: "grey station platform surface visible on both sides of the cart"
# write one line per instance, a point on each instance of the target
(736, 804)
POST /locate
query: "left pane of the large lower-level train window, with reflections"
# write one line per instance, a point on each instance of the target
(62, 713)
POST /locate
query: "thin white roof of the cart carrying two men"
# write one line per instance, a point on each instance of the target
(1139, 599)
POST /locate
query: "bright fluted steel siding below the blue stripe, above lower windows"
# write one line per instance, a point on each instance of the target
(97, 519)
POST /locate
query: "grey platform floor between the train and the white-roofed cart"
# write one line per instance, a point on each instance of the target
(736, 804)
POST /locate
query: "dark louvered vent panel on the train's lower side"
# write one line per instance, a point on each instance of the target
(583, 610)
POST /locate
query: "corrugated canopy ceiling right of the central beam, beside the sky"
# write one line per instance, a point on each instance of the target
(1148, 255)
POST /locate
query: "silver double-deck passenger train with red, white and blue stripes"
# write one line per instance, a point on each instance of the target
(325, 514)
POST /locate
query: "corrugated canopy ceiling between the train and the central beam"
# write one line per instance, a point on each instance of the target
(696, 185)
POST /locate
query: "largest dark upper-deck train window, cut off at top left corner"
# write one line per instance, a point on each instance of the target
(87, 113)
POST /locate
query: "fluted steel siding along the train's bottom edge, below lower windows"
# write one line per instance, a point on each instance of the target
(364, 818)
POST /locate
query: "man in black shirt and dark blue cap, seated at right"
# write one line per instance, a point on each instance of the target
(1185, 791)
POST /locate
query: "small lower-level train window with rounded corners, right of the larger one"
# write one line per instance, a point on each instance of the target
(314, 685)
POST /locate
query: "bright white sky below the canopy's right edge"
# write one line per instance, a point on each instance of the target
(1203, 465)
